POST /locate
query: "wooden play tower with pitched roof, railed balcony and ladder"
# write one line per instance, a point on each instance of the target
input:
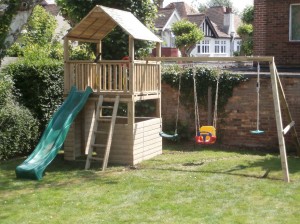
(133, 139)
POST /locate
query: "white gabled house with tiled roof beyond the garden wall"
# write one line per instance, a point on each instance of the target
(217, 23)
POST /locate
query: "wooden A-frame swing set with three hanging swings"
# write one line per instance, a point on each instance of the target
(207, 135)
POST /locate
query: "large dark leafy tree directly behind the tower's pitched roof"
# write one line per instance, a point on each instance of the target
(115, 45)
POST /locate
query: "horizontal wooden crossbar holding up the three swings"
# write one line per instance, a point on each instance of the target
(212, 59)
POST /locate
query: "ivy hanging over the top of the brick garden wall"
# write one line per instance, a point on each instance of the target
(205, 77)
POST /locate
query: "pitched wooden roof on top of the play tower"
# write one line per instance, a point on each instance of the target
(102, 20)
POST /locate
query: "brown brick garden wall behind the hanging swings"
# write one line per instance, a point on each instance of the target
(239, 117)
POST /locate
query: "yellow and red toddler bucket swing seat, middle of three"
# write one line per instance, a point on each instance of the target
(206, 135)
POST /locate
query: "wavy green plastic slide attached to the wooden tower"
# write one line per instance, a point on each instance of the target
(54, 136)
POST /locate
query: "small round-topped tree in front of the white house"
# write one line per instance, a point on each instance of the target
(187, 34)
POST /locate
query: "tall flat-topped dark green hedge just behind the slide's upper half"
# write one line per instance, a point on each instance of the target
(38, 86)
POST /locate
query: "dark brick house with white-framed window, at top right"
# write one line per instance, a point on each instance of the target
(277, 31)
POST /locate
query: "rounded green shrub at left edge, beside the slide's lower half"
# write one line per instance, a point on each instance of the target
(18, 131)
